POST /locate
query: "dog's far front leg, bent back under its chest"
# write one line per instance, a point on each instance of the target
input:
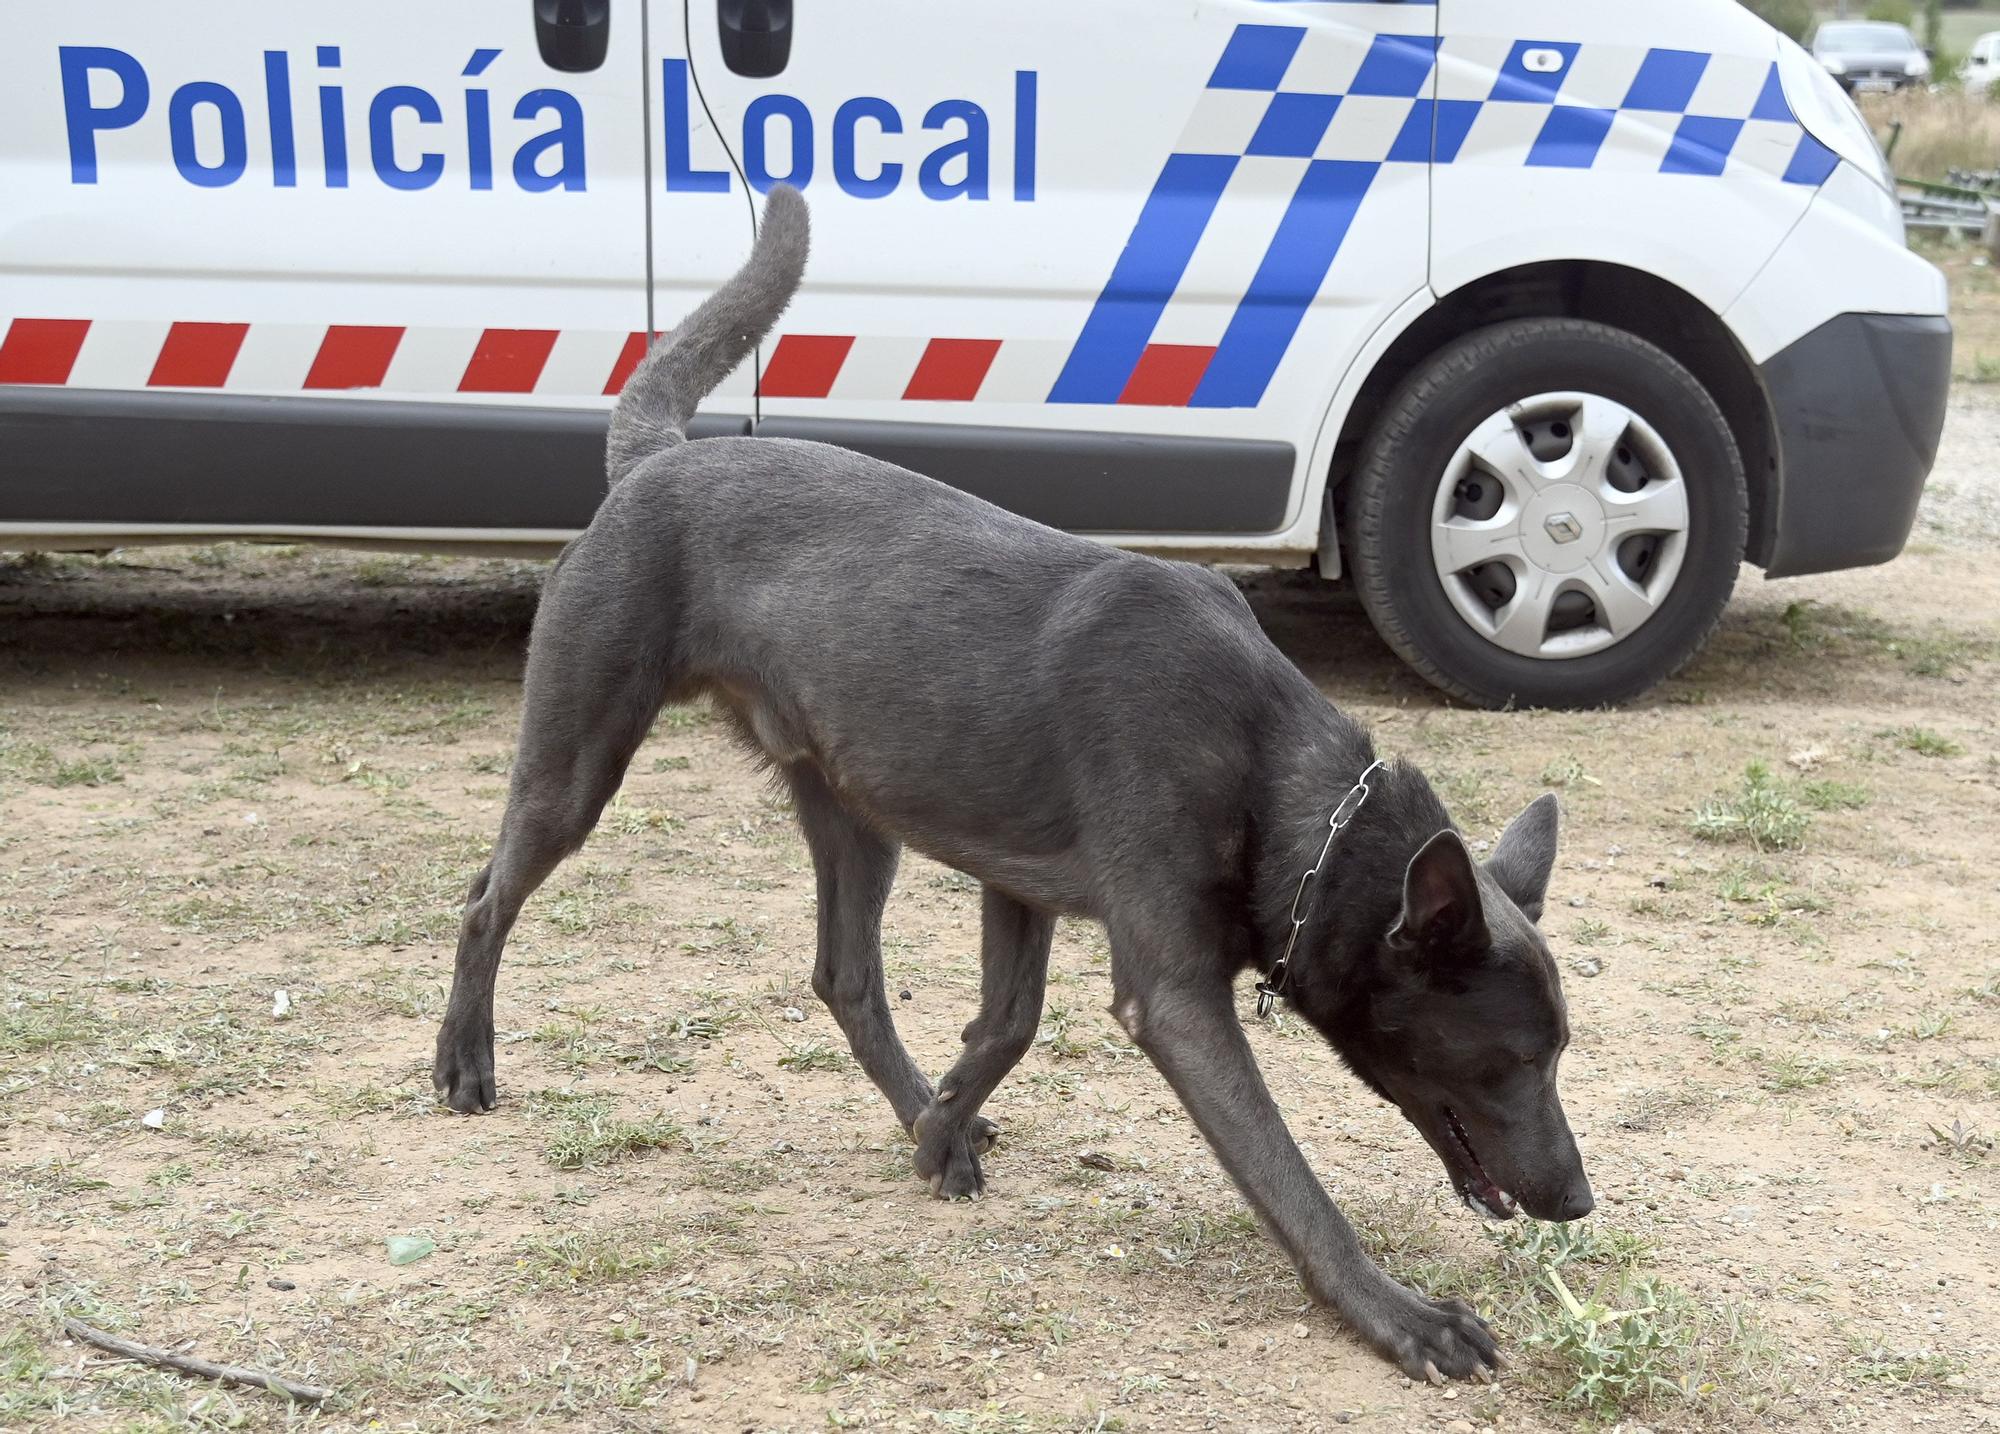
(1013, 979)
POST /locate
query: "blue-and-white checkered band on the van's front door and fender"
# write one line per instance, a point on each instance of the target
(1345, 113)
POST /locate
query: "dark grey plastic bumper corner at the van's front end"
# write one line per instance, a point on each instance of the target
(1859, 407)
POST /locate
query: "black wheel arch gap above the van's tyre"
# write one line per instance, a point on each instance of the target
(1633, 301)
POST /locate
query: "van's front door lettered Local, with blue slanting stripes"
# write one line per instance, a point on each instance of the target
(1099, 263)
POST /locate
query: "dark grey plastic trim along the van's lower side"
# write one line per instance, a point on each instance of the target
(237, 461)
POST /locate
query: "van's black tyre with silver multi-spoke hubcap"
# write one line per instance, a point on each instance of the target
(1551, 513)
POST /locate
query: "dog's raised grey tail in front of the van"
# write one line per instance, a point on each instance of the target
(659, 401)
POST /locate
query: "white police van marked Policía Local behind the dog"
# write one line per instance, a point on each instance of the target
(1533, 319)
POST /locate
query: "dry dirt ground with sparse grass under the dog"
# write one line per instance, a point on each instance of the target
(235, 773)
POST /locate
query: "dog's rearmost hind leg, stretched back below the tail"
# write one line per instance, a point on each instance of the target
(593, 689)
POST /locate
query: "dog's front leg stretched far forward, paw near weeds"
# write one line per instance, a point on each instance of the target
(1187, 1025)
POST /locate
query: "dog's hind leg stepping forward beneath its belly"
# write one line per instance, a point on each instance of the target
(857, 869)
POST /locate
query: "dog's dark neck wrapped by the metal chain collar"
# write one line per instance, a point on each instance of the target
(1359, 893)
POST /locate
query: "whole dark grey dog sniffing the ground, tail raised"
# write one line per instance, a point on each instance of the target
(1085, 731)
